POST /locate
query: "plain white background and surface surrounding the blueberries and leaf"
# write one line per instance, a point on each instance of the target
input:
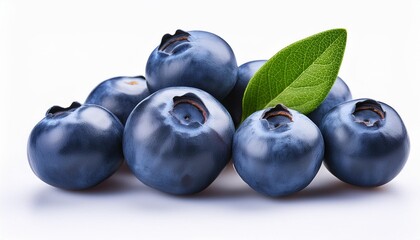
(55, 52)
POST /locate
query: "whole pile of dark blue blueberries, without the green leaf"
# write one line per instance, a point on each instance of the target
(181, 125)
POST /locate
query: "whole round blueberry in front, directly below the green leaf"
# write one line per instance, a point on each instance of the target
(277, 151)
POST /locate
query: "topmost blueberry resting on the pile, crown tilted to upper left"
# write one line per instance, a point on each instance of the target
(196, 59)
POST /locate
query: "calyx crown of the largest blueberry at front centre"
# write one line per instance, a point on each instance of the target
(189, 110)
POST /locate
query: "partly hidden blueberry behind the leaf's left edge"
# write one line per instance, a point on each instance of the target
(233, 101)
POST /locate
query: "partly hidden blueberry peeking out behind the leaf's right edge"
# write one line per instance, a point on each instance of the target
(339, 93)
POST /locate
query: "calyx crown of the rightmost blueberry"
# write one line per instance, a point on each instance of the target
(368, 113)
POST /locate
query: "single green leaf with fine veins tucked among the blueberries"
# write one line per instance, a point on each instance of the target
(298, 76)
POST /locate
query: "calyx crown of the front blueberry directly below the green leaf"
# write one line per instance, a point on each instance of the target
(277, 116)
